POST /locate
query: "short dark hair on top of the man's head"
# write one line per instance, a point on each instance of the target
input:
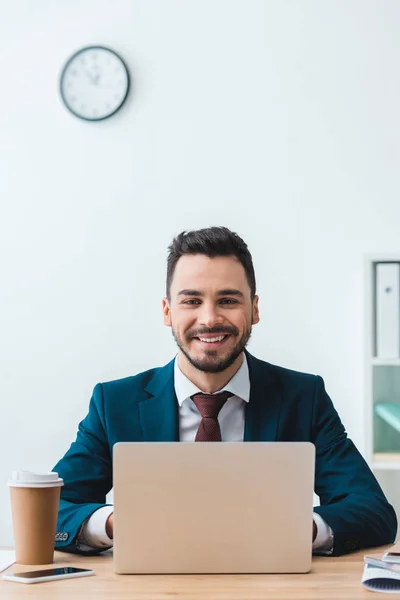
(213, 241)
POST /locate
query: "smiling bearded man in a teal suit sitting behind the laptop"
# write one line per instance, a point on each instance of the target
(214, 390)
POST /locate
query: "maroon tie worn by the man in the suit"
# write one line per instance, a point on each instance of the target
(209, 406)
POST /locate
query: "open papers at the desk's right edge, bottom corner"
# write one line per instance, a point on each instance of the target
(382, 574)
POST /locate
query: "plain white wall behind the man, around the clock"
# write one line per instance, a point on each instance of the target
(277, 119)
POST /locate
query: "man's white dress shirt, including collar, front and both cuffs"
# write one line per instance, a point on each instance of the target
(231, 420)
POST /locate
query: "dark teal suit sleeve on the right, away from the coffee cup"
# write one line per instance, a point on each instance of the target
(352, 502)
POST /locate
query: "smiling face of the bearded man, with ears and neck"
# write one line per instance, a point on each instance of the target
(211, 307)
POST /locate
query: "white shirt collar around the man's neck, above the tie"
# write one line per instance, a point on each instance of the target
(239, 385)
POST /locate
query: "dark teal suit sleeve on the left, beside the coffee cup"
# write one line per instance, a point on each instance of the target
(87, 472)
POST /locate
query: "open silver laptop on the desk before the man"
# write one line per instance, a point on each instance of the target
(213, 507)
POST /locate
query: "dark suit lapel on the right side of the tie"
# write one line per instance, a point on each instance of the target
(262, 411)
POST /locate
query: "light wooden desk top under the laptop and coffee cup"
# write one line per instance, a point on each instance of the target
(329, 579)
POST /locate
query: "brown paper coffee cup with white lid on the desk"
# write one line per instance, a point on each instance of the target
(34, 506)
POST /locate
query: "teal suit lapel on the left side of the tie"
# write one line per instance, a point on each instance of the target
(159, 416)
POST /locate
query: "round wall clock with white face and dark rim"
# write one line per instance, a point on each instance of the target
(94, 83)
